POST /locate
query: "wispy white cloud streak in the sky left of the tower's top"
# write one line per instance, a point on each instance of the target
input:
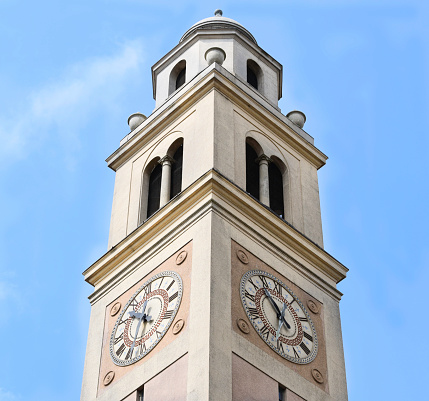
(65, 104)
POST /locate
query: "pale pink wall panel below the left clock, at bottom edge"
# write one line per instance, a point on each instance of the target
(170, 384)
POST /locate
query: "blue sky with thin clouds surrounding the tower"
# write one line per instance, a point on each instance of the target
(72, 72)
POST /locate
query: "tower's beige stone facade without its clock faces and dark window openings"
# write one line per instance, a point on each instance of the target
(214, 114)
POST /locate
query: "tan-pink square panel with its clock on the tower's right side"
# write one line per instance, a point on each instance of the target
(245, 265)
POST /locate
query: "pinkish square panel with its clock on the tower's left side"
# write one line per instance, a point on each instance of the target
(176, 271)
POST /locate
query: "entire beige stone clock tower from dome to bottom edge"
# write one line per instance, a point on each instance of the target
(215, 285)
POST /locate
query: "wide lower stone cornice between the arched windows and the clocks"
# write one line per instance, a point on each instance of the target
(214, 193)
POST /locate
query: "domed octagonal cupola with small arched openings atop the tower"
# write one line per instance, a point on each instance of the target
(227, 43)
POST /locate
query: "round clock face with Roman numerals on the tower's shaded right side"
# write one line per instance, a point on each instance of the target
(278, 316)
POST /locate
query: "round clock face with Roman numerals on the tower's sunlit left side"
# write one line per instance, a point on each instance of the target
(145, 318)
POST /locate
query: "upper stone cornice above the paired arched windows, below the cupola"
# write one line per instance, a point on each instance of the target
(216, 78)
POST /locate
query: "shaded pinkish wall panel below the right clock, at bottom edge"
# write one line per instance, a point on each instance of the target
(250, 384)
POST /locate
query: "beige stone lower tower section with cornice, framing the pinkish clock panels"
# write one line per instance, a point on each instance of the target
(212, 216)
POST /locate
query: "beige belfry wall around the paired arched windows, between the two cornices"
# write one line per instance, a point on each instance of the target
(214, 132)
